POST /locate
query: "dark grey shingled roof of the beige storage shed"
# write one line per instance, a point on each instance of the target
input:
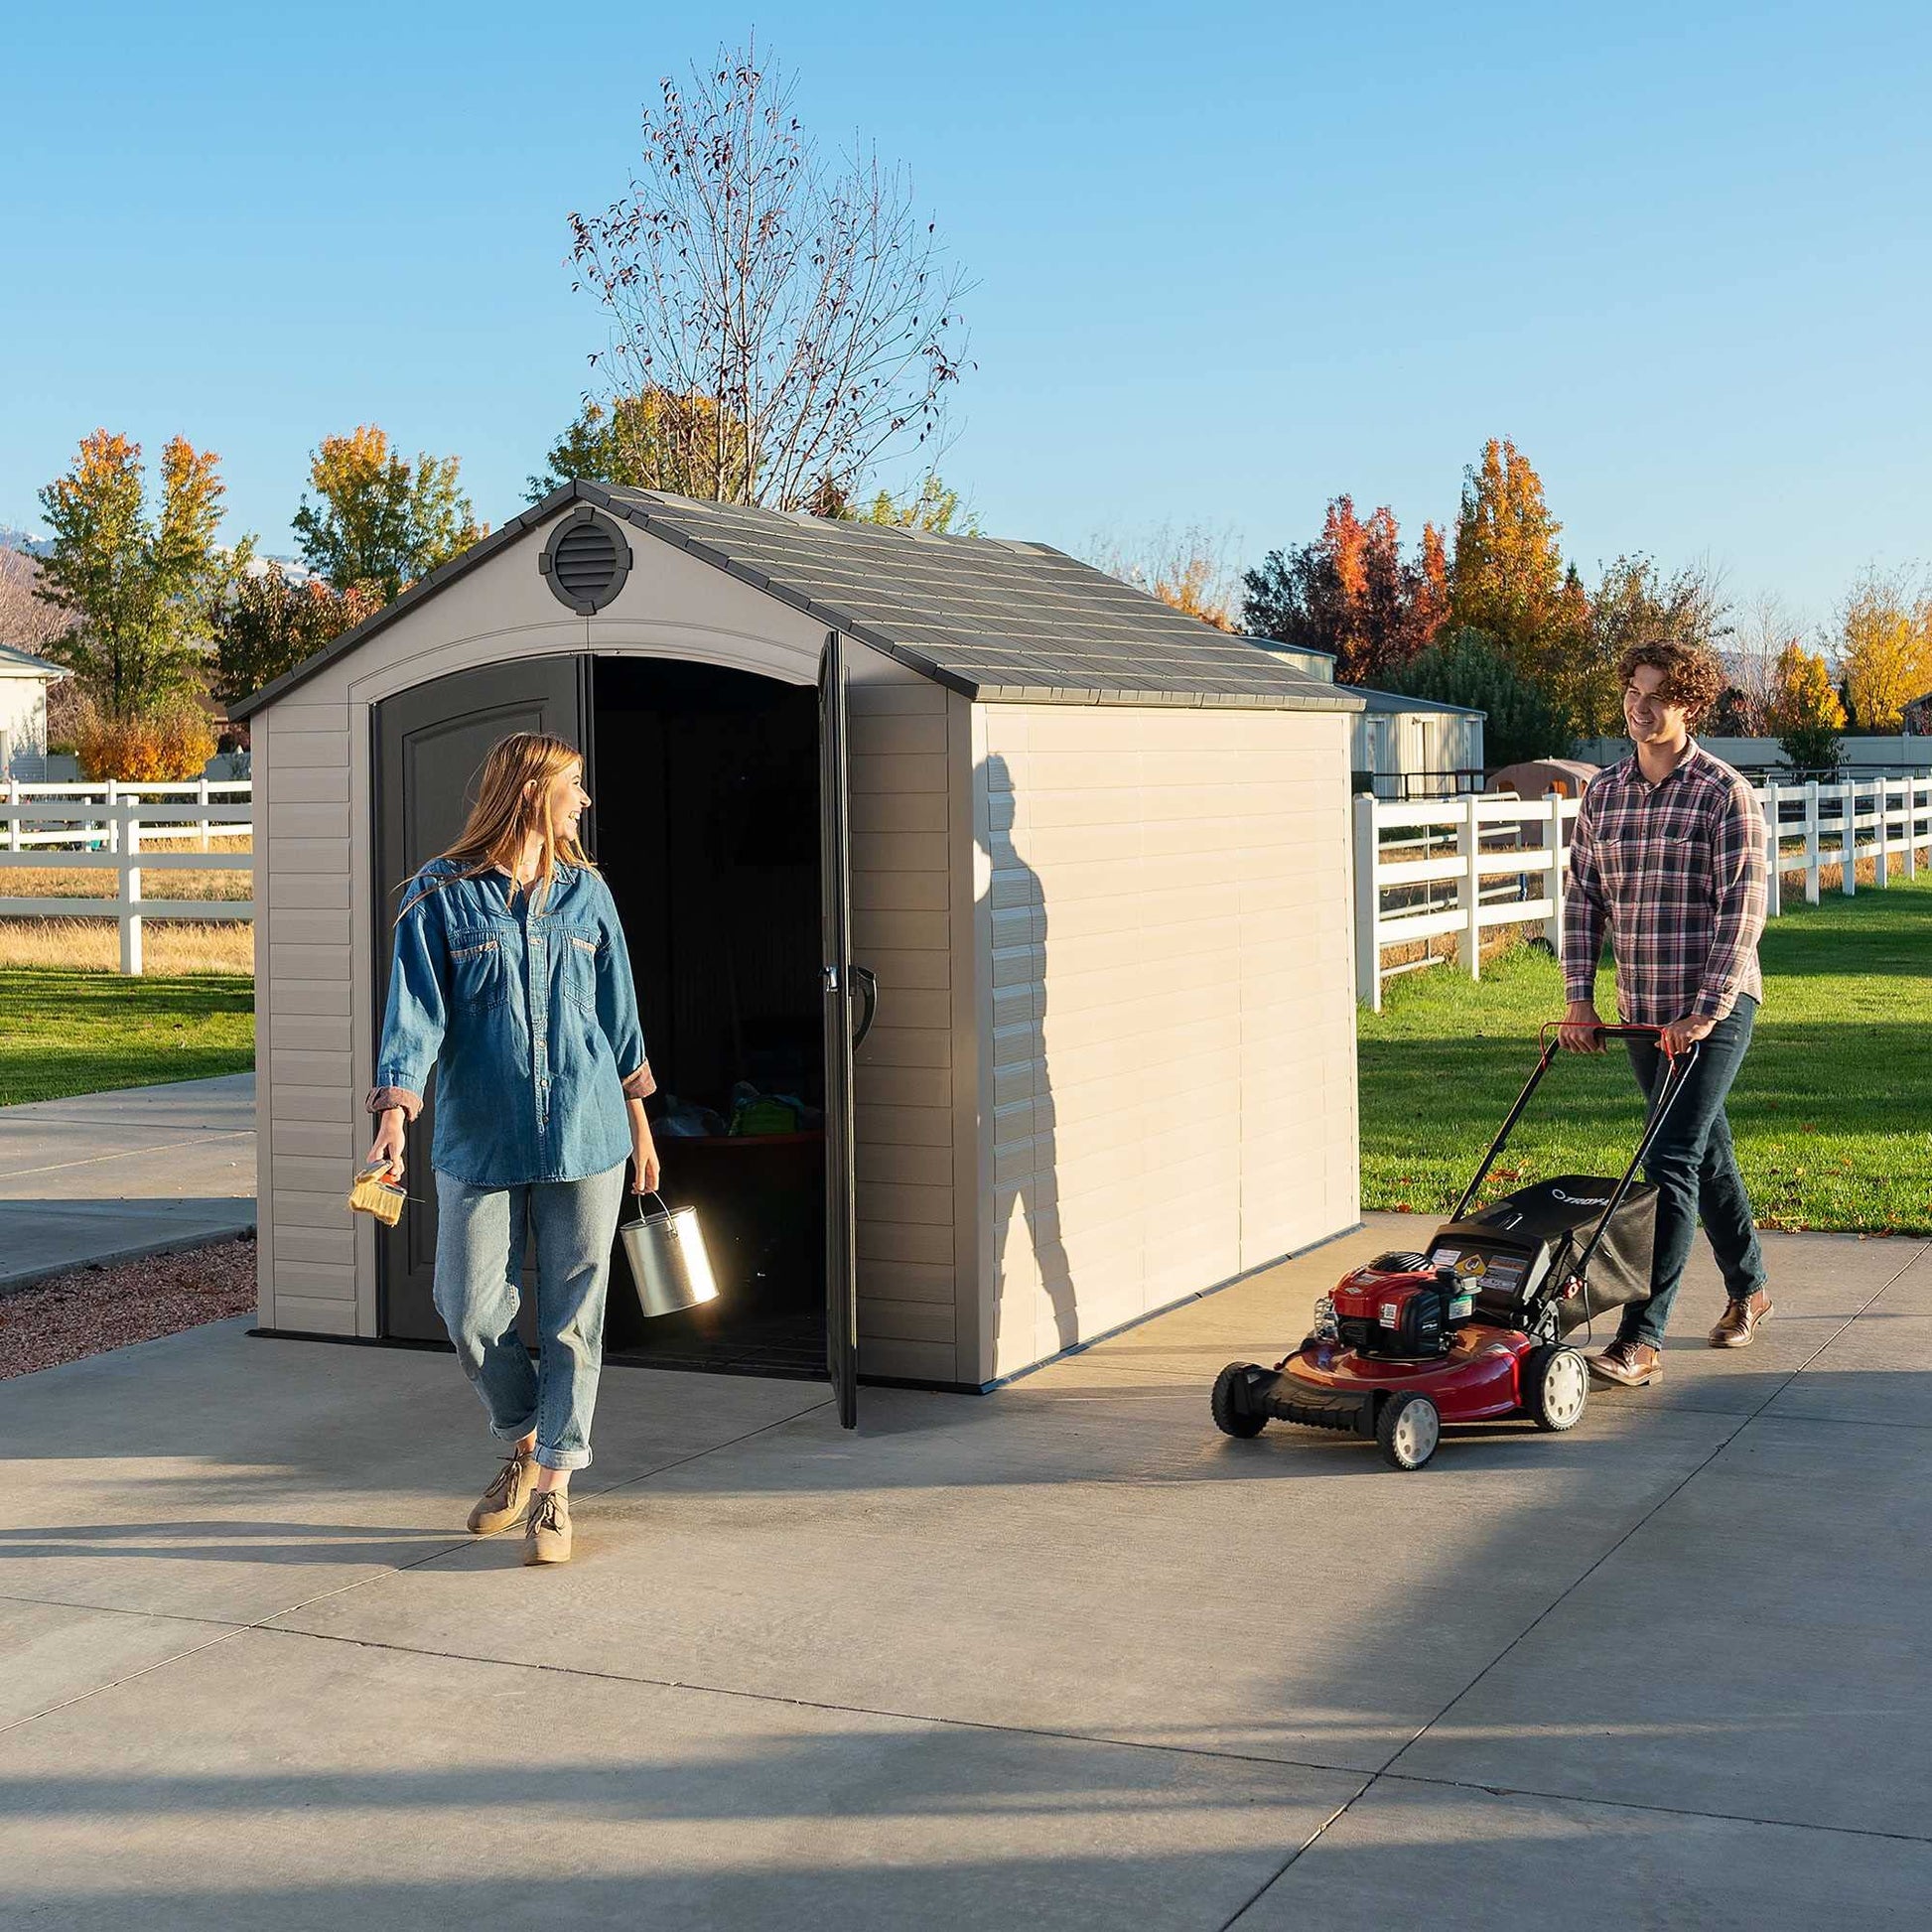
(998, 621)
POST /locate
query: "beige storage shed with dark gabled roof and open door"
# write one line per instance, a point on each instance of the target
(1093, 857)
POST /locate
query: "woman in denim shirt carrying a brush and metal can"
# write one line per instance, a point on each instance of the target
(511, 980)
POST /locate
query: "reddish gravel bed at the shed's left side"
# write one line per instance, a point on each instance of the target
(94, 1309)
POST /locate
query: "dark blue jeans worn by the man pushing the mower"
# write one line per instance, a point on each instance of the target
(1695, 1172)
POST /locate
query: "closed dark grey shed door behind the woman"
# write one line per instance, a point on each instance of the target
(430, 749)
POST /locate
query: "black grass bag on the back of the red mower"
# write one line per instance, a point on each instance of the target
(1520, 1255)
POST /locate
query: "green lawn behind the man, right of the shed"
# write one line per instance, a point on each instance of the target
(1833, 1110)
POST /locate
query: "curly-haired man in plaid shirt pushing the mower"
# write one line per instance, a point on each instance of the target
(1668, 861)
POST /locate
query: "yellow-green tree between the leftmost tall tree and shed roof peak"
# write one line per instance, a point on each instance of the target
(382, 521)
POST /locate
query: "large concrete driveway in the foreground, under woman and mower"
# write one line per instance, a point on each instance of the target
(1060, 1657)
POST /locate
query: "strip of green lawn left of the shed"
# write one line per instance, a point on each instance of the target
(80, 1033)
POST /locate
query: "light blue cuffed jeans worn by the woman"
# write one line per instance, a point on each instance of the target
(480, 1266)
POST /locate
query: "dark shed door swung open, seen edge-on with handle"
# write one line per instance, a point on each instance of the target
(841, 982)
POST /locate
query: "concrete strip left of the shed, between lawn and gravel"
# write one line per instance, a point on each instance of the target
(103, 1178)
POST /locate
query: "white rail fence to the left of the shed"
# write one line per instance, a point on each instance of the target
(127, 828)
